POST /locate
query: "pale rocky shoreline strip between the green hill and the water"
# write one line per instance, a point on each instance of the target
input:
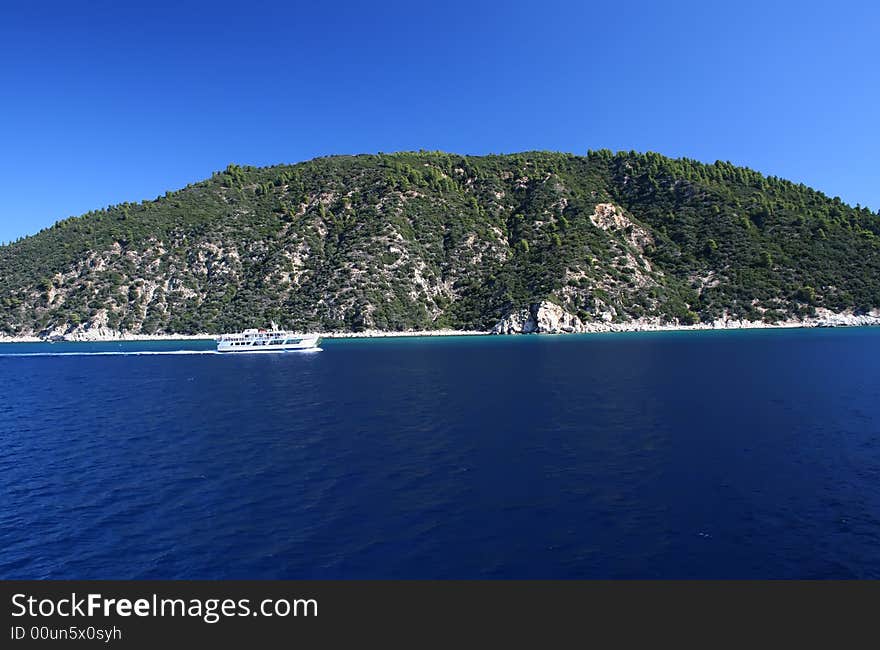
(840, 321)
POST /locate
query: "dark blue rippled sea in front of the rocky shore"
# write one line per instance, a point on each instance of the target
(745, 454)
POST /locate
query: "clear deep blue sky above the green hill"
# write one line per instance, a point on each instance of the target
(103, 102)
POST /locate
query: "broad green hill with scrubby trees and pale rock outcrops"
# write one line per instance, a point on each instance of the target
(435, 240)
